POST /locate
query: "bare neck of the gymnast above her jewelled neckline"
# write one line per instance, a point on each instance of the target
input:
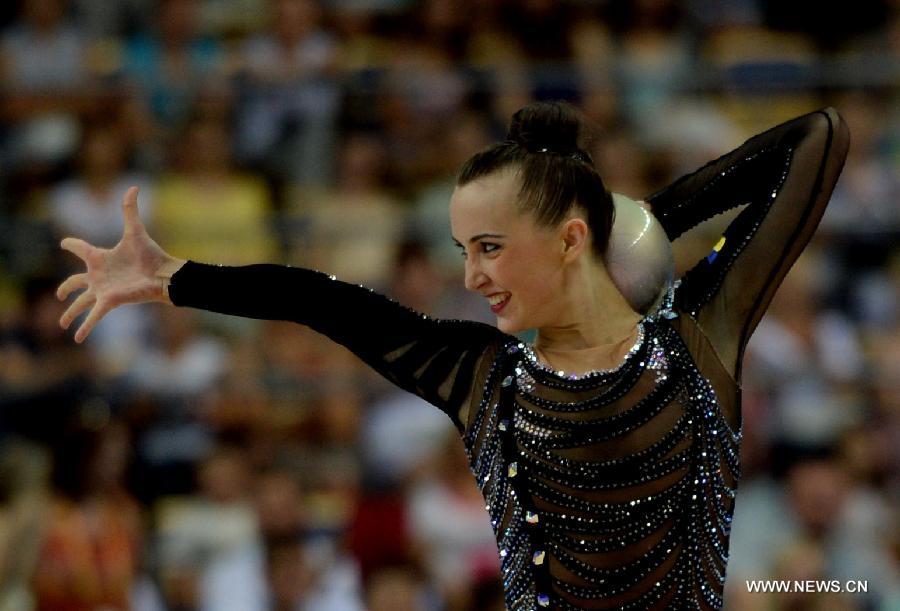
(596, 323)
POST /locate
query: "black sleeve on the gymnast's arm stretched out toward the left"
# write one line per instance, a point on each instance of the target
(435, 359)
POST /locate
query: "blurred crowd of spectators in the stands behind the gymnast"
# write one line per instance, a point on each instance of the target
(180, 460)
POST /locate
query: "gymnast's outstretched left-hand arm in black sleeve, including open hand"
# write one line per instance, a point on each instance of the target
(437, 360)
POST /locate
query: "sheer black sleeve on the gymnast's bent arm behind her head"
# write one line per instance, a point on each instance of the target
(785, 177)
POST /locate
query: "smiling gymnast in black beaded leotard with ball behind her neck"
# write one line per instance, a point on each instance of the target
(607, 450)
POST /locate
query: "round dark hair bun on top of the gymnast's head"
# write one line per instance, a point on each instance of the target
(550, 126)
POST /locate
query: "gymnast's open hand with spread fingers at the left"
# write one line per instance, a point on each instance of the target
(134, 271)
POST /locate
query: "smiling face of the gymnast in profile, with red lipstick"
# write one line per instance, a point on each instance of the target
(516, 264)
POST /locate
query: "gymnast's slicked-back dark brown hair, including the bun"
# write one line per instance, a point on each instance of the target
(543, 143)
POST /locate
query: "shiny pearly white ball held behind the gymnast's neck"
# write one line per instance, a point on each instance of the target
(639, 255)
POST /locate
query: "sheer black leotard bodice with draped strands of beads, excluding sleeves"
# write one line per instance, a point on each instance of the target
(582, 518)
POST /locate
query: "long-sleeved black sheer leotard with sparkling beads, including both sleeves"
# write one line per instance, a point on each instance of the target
(612, 490)
